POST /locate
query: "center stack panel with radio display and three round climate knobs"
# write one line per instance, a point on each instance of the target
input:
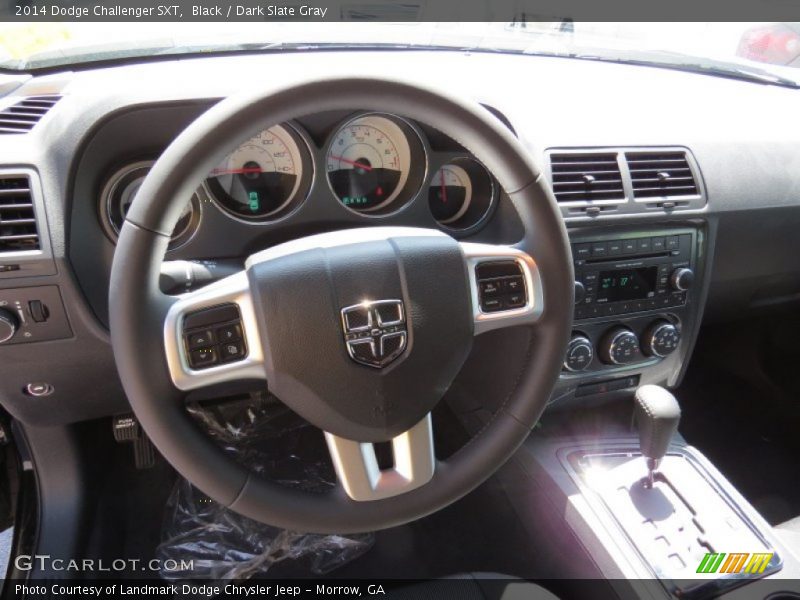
(637, 303)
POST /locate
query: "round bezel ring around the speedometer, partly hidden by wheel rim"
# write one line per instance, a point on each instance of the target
(300, 192)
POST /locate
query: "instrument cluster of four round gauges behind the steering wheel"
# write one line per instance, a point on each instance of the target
(371, 164)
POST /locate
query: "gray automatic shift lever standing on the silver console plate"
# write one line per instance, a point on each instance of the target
(657, 414)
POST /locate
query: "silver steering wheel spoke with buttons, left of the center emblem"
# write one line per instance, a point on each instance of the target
(211, 335)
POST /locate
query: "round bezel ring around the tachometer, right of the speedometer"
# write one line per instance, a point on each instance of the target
(417, 172)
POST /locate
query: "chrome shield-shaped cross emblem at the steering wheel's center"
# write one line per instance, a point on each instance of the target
(382, 339)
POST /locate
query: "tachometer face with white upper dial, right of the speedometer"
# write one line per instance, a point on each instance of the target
(368, 163)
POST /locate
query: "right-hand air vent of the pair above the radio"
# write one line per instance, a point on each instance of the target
(659, 175)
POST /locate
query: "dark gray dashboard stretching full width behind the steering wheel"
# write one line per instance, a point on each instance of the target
(681, 204)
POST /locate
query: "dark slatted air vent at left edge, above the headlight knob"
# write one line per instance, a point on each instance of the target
(18, 230)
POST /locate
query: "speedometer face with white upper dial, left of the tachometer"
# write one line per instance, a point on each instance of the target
(261, 177)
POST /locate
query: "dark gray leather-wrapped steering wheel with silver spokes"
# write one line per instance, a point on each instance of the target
(360, 332)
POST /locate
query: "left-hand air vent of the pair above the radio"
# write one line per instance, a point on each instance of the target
(587, 177)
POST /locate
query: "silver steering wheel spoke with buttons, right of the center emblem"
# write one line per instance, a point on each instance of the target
(505, 286)
